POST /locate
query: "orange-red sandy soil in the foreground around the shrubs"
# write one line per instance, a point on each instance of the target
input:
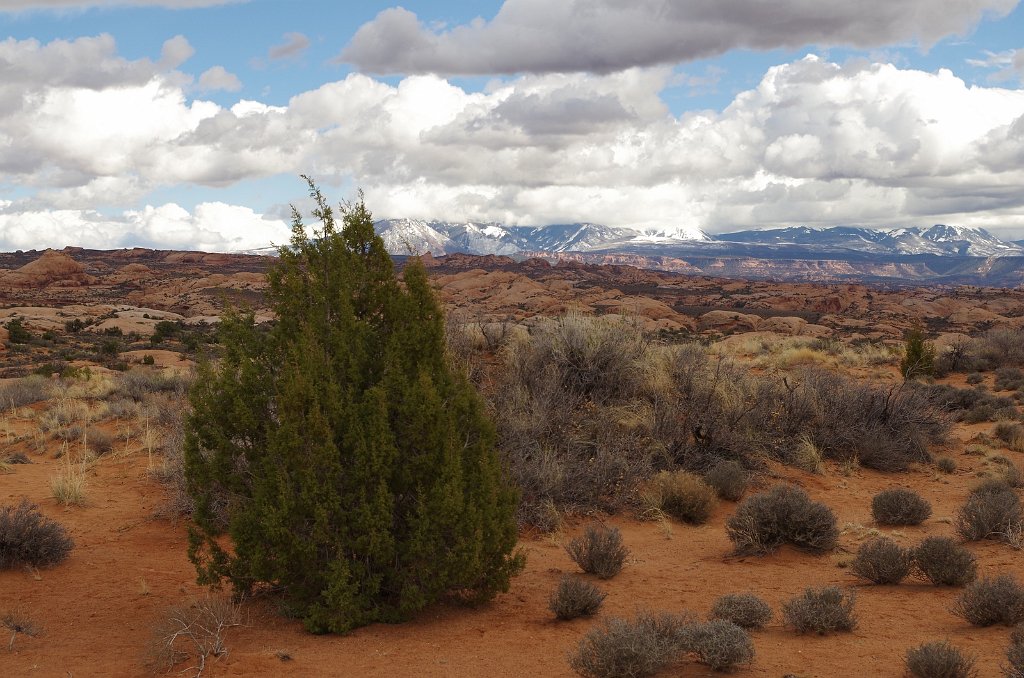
(99, 609)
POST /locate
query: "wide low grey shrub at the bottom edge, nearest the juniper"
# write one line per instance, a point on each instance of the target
(632, 649)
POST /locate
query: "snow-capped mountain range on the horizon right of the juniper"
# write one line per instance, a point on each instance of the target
(439, 238)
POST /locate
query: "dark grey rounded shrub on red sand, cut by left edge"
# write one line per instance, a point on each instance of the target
(28, 538)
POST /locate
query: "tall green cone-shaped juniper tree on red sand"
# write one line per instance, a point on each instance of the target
(354, 472)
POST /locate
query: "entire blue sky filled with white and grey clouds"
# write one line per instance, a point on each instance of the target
(186, 124)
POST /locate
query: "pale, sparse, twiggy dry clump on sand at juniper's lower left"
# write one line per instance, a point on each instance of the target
(193, 632)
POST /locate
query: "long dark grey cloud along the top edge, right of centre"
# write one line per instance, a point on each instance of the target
(603, 36)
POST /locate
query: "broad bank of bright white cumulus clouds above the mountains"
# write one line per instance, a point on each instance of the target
(815, 143)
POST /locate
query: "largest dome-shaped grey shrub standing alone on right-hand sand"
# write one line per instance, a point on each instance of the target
(785, 515)
